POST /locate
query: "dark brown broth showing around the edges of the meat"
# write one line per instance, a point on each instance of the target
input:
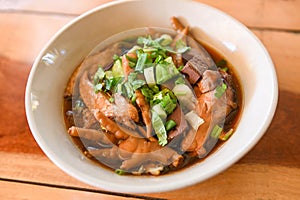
(188, 160)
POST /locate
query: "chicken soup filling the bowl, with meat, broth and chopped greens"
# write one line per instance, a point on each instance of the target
(151, 102)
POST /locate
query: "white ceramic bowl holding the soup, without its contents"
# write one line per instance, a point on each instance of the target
(56, 62)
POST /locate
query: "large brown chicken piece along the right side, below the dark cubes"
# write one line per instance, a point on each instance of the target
(212, 109)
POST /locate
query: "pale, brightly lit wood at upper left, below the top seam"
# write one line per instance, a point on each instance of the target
(28, 36)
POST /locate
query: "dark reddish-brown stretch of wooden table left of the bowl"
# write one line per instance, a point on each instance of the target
(15, 135)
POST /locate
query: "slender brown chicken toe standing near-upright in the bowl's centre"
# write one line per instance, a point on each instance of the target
(145, 109)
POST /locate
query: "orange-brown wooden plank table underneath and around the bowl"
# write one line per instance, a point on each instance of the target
(271, 170)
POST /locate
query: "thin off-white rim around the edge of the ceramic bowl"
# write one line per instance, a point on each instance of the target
(190, 181)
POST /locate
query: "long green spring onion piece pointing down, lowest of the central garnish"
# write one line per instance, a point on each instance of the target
(159, 129)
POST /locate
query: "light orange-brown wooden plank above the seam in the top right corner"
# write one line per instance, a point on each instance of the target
(260, 13)
